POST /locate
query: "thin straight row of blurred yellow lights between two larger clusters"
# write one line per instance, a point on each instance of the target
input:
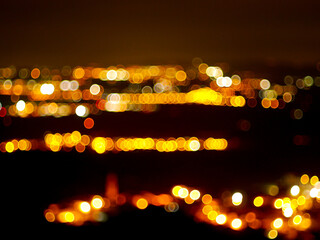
(67, 141)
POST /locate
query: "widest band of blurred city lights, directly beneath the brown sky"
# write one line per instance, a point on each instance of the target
(88, 90)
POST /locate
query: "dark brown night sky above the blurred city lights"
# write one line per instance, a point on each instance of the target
(158, 32)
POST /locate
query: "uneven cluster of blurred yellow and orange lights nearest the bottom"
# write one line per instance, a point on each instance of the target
(290, 214)
